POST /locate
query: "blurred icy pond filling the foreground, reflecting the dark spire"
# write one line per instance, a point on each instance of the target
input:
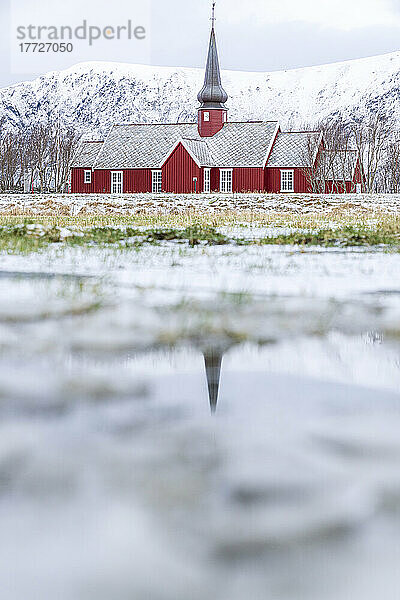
(118, 481)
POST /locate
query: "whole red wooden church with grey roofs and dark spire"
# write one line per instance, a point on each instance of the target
(212, 155)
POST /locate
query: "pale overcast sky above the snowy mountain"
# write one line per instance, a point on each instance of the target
(259, 35)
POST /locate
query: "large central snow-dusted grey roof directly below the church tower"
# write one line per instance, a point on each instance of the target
(148, 146)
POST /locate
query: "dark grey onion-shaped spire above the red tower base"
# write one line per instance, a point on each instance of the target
(212, 94)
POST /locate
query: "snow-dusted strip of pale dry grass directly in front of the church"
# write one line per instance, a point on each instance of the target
(74, 204)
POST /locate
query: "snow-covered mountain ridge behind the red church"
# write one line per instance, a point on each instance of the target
(93, 95)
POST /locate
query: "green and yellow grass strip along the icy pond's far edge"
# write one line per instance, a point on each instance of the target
(34, 234)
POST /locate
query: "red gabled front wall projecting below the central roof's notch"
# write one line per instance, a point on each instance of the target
(179, 171)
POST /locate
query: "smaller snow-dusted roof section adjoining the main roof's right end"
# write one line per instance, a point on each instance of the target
(293, 150)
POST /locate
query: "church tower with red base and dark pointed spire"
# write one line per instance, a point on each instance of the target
(212, 114)
